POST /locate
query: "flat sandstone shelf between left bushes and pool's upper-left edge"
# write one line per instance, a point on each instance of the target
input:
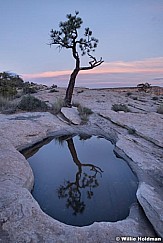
(25, 129)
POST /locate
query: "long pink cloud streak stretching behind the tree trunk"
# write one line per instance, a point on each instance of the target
(149, 65)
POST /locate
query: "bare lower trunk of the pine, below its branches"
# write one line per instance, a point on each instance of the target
(70, 87)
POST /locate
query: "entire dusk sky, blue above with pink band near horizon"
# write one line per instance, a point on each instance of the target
(130, 37)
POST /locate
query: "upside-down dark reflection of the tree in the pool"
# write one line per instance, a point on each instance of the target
(83, 180)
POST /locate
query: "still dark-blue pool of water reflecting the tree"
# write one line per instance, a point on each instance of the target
(79, 180)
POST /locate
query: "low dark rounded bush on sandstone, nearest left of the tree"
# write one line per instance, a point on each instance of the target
(30, 103)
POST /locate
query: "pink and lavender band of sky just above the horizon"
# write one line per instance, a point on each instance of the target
(109, 74)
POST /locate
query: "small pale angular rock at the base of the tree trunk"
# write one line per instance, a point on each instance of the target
(71, 114)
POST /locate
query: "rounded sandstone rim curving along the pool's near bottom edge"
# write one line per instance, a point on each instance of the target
(23, 221)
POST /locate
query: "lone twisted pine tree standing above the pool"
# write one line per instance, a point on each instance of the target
(67, 37)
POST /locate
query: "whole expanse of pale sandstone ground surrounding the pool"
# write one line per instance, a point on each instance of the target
(138, 138)
